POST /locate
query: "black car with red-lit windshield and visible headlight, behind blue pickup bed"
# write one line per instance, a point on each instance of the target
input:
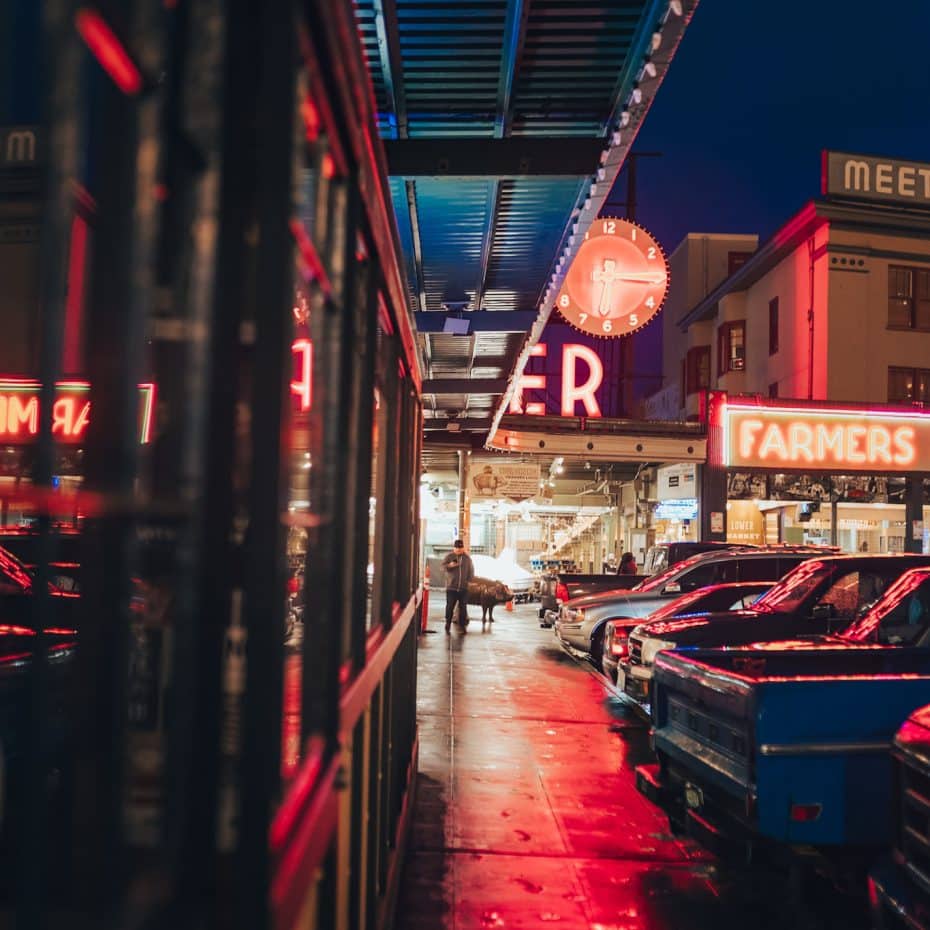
(824, 595)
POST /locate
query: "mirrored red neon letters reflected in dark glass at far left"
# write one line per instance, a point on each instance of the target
(19, 411)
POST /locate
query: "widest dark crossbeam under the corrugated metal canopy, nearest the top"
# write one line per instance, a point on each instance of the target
(469, 157)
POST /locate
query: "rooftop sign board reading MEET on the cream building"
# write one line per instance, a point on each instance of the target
(865, 177)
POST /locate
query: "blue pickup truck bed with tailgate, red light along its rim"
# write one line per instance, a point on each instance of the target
(787, 748)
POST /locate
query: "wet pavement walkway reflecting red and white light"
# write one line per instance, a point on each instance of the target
(527, 814)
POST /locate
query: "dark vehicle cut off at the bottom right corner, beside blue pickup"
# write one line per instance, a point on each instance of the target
(899, 885)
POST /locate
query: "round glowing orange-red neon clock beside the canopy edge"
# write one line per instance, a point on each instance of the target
(617, 281)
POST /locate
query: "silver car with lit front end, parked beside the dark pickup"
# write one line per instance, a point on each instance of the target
(580, 626)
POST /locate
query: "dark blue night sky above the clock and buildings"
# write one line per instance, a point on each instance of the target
(755, 92)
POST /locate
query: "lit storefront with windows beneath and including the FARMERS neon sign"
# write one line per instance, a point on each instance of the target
(855, 477)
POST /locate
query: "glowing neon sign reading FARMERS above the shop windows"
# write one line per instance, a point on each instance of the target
(854, 440)
